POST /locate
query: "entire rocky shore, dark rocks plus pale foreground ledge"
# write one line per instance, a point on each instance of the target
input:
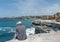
(51, 33)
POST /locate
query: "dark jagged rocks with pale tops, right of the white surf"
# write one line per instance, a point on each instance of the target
(45, 26)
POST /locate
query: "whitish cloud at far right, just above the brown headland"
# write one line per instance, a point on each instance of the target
(51, 9)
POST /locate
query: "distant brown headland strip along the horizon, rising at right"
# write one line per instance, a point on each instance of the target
(46, 17)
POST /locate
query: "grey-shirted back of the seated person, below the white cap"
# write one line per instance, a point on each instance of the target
(21, 32)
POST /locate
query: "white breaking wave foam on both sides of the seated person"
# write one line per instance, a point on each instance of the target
(29, 31)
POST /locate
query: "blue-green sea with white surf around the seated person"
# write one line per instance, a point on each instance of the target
(8, 27)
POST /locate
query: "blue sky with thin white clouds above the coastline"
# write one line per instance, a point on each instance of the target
(10, 8)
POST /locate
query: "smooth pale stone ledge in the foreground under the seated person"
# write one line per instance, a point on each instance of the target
(44, 37)
